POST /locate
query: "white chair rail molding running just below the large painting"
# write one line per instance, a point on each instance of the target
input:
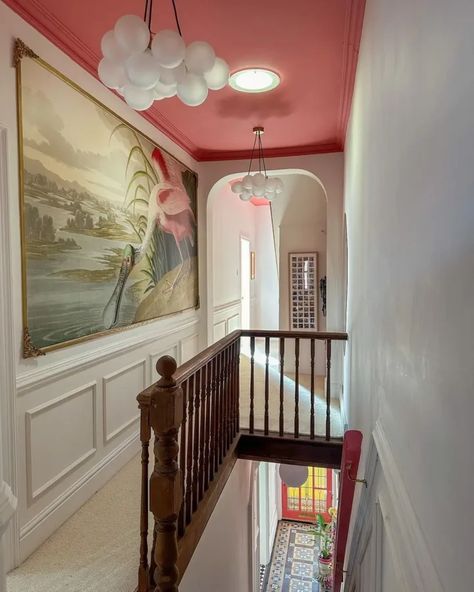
(39, 377)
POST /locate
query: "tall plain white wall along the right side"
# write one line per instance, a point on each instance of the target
(410, 210)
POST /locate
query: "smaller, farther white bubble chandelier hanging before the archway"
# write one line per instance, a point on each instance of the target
(258, 184)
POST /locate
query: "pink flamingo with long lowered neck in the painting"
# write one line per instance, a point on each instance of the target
(169, 208)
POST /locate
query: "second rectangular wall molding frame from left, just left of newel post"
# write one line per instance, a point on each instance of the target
(114, 377)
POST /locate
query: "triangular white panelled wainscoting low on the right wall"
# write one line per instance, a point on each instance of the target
(388, 549)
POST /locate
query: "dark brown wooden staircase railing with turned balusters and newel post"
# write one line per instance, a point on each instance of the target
(194, 414)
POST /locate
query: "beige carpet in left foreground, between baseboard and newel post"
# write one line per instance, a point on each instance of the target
(96, 550)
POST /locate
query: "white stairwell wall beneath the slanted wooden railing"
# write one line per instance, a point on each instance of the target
(222, 559)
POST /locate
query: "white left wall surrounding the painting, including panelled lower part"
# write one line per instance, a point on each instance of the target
(76, 415)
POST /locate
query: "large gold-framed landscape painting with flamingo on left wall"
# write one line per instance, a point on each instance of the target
(108, 218)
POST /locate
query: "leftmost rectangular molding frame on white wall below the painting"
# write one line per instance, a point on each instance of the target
(32, 493)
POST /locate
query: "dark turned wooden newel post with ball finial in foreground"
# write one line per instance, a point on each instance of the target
(166, 492)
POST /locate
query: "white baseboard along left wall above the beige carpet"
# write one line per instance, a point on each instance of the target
(44, 524)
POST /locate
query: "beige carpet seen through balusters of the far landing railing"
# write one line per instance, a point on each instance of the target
(289, 401)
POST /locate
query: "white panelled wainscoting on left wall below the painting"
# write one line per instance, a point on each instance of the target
(78, 422)
